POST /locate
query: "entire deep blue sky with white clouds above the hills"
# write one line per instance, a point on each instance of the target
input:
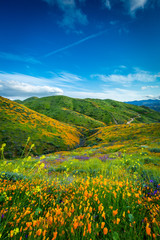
(106, 49)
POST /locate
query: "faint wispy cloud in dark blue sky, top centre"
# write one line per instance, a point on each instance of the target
(71, 13)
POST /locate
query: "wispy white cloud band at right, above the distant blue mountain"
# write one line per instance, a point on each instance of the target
(140, 76)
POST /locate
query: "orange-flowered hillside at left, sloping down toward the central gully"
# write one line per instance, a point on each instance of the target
(17, 123)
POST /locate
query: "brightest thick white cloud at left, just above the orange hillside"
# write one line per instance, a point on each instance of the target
(16, 85)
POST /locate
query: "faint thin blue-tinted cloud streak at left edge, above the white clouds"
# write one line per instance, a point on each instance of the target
(14, 57)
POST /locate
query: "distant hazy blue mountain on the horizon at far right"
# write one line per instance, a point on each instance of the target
(153, 104)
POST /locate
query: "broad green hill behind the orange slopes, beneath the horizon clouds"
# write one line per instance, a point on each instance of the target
(90, 113)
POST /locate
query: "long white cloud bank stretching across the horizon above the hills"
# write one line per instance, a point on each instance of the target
(20, 86)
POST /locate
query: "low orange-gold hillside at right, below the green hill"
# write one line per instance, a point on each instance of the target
(132, 137)
